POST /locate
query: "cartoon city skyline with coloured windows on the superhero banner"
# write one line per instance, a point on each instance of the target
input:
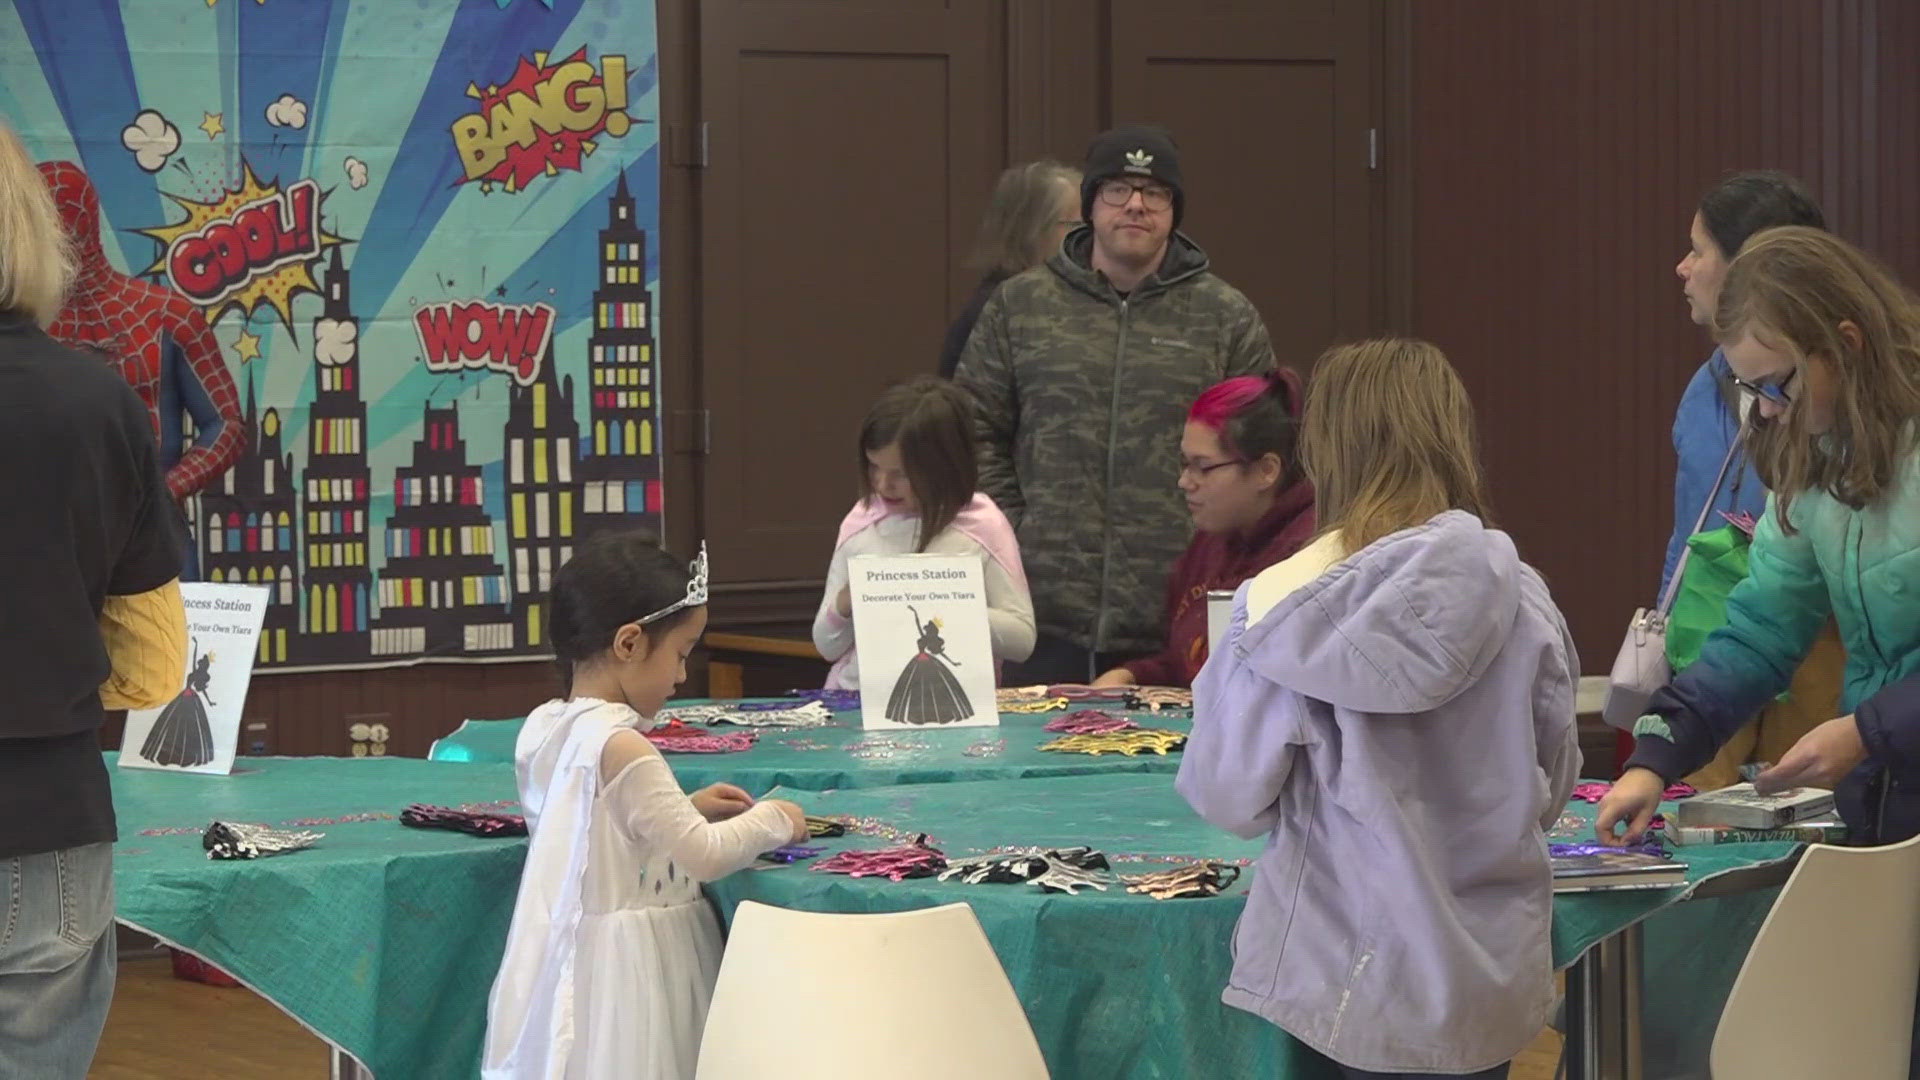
(444, 587)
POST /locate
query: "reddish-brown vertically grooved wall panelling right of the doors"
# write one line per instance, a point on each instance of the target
(1556, 159)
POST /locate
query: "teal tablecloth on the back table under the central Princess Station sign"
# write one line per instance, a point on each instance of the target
(848, 756)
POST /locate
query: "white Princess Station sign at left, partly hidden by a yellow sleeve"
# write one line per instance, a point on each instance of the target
(201, 729)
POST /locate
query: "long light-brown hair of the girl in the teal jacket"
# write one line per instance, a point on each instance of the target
(1792, 289)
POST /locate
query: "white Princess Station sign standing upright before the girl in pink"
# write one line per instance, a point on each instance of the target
(921, 627)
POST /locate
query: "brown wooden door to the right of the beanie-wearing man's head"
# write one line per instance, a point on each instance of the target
(1274, 110)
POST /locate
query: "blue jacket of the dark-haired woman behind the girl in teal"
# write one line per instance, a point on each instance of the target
(1704, 431)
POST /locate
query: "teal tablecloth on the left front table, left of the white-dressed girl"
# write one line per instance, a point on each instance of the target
(381, 939)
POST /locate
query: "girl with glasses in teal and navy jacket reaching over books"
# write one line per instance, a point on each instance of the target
(1831, 347)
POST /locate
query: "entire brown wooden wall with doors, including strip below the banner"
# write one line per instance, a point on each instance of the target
(1539, 170)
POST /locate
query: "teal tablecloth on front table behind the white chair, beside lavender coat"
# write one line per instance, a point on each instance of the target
(1122, 985)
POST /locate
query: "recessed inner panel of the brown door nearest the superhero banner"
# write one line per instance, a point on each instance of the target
(855, 287)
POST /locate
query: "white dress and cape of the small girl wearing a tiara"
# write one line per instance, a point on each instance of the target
(613, 950)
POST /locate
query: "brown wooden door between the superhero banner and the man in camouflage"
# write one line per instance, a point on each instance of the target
(852, 147)
